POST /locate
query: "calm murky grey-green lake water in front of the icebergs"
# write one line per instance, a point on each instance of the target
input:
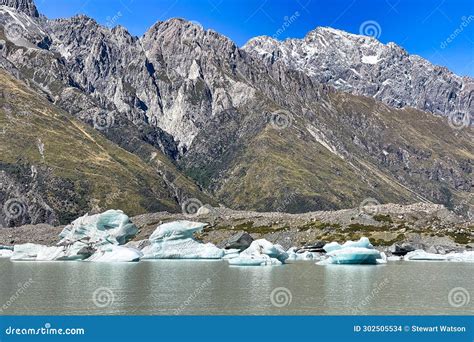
(170, 287)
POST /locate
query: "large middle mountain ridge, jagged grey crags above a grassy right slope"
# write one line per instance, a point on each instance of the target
(253, 132)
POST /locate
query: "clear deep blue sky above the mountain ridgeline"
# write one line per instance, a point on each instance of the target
(422, 27)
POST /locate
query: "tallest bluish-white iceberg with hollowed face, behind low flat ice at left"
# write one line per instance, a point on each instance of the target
(110, 227)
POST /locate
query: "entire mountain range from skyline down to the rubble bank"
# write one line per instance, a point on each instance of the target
(96, 118)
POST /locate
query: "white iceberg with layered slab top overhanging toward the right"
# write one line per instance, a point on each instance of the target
(175, 240)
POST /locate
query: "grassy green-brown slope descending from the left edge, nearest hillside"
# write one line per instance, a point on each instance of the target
(54, 168)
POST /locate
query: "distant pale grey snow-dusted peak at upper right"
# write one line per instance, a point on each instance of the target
(363, 66)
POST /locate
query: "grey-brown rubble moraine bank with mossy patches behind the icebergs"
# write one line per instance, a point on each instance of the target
(423, 226)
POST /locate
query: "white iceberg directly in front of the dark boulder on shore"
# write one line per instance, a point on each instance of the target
(260, 253)
